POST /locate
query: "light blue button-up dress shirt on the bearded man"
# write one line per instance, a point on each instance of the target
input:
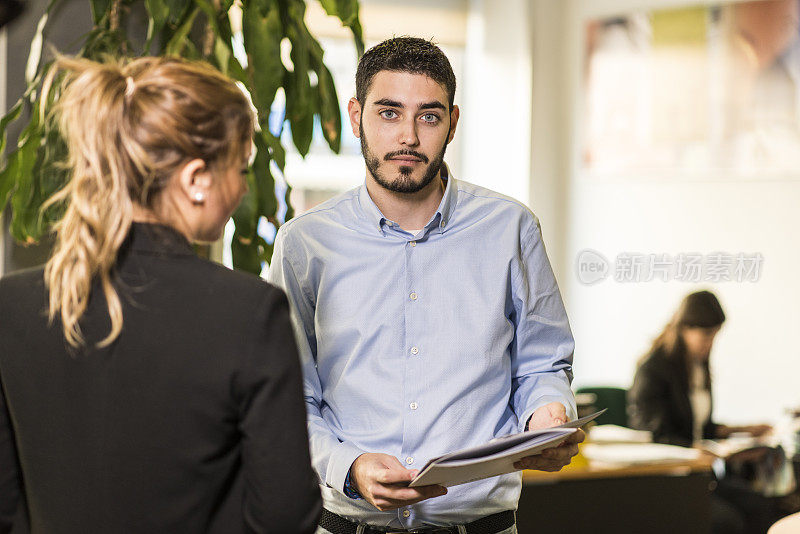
(418, 345)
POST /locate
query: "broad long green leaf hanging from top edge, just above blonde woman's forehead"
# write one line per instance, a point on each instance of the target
(263, 31)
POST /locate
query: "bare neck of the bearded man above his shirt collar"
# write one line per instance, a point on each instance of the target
(411, 211)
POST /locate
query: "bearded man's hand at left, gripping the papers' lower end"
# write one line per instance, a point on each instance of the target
(383, 481)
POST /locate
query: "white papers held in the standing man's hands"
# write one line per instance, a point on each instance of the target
(494, 458)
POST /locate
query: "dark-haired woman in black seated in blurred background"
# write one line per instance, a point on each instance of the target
(671, 392)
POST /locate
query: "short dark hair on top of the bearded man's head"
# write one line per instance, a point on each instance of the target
(405, 54)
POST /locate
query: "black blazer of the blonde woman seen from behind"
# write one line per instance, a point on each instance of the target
(191, 421)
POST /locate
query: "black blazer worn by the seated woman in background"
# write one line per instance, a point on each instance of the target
(659, 401)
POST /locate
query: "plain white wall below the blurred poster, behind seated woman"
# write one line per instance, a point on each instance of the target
(756, 359)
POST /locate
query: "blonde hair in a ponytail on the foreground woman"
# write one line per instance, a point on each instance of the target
(128, 127)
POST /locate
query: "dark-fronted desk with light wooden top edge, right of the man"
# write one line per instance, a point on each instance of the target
(652, 499)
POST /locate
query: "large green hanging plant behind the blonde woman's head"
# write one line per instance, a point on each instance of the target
(194, 29)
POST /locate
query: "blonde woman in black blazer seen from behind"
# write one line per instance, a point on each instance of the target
(144, 389)
